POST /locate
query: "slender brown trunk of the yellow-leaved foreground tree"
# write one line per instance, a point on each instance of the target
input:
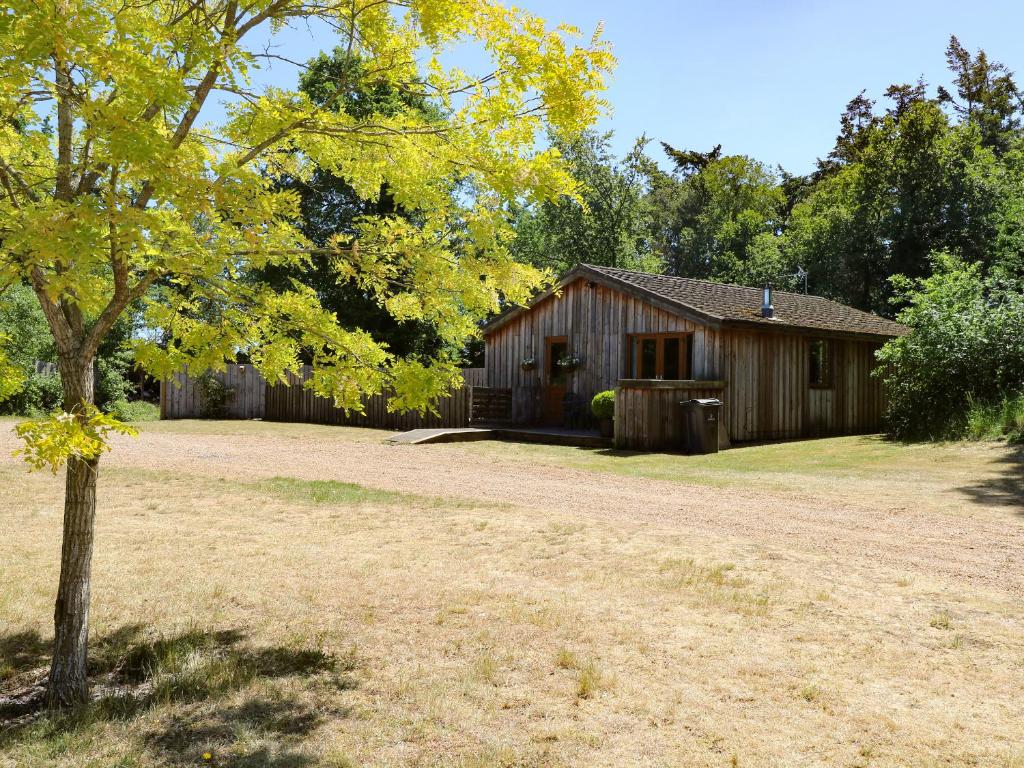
(68, 682)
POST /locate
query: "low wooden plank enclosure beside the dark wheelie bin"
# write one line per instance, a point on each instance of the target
(649, 416)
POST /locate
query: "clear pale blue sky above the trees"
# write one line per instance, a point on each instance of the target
(767, 79)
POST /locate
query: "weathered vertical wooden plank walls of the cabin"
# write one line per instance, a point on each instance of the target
(766, 373)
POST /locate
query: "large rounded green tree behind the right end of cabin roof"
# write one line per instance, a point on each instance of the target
(917, 185)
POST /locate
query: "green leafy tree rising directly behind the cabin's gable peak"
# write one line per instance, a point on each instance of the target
(606, 225)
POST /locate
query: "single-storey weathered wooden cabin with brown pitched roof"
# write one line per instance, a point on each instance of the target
(786, 365)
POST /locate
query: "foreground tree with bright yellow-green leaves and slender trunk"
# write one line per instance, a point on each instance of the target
(113, 194)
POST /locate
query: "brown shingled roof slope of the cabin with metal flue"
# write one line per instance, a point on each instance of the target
(726, 303)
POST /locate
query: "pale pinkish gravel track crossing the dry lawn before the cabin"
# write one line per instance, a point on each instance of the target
(984, 550)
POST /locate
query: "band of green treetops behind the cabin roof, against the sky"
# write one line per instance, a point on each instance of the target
(917, 173)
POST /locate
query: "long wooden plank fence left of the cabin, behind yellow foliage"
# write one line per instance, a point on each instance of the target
(253, 398)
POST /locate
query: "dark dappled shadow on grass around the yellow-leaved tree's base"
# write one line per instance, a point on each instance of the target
(204, 692)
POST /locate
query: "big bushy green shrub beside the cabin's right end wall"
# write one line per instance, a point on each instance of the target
(960, 370)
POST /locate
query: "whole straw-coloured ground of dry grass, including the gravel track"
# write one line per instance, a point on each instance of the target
(294, 595)
